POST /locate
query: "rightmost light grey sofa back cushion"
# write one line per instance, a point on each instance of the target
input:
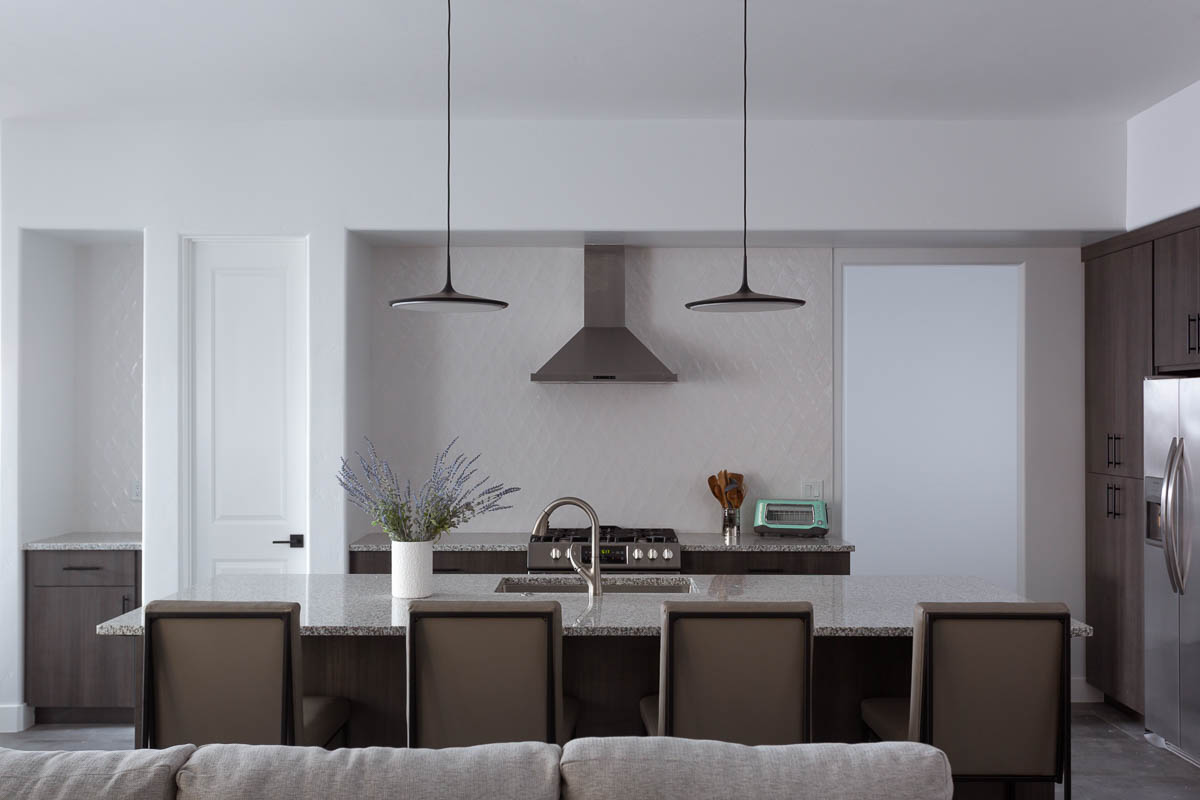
(688, 769)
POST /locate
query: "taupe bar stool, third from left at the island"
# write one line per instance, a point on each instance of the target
(704, 690)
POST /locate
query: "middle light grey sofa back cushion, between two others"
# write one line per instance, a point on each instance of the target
(521, 772)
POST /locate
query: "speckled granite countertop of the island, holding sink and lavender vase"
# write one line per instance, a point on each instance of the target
(362, 605)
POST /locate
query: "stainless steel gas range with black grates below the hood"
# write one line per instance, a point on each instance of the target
(623, 550)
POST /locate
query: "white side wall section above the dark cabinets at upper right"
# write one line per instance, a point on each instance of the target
(1163, 161)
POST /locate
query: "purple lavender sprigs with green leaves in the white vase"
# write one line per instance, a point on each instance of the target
(451, 497)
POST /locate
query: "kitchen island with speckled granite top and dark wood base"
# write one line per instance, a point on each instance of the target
(355, 637)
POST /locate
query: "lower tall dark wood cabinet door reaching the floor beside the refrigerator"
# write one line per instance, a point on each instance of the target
(1115, 521)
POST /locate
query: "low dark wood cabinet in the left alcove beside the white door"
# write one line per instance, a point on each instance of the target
(71, 673)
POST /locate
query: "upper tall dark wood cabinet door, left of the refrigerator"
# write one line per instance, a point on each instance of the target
(1118, 357)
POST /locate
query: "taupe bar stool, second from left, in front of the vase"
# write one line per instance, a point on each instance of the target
(483, 672)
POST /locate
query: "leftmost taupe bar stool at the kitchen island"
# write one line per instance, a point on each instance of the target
(230, 673)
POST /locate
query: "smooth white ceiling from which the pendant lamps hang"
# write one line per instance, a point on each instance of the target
(537, 59)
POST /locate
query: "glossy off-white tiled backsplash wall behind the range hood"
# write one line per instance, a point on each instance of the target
(754, 393)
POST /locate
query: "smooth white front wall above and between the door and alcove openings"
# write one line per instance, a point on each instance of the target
(583, 177)
